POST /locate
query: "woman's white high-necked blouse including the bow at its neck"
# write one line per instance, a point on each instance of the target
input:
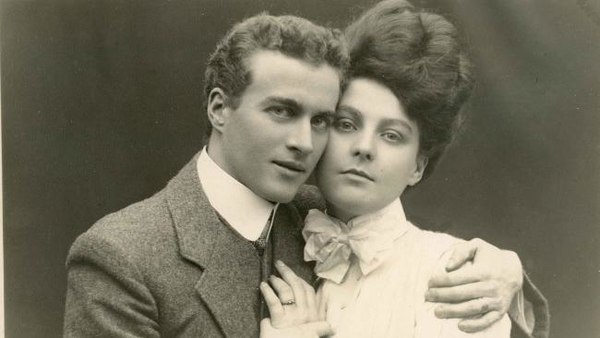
(375, 271)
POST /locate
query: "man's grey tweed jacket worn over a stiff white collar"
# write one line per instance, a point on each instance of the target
(168, 267)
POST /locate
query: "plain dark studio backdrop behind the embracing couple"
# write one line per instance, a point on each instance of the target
(101, 105)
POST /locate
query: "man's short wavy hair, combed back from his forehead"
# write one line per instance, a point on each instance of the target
(292, 36)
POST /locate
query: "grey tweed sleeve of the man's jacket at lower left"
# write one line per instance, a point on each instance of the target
(106, 294)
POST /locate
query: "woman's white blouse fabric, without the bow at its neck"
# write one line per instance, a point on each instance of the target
(389, 301)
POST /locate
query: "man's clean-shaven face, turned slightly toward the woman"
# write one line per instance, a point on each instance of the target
(272, 141)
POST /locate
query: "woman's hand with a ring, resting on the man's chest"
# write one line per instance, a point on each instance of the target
(293, 302)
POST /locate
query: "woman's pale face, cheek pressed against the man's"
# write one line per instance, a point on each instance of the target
(372, 154)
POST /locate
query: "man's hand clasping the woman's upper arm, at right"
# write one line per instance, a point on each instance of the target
(480, 293)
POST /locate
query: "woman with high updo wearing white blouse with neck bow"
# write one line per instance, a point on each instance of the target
(407, 81)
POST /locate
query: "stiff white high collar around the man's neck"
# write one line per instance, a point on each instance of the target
(246, 212)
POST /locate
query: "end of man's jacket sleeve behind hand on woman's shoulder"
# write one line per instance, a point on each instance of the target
(529, 312)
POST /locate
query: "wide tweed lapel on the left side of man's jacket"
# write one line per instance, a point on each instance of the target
(226, 286)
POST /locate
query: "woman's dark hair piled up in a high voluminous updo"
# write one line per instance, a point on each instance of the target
(416, 55)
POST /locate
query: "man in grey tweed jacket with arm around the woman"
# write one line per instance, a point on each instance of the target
(188, 261)
